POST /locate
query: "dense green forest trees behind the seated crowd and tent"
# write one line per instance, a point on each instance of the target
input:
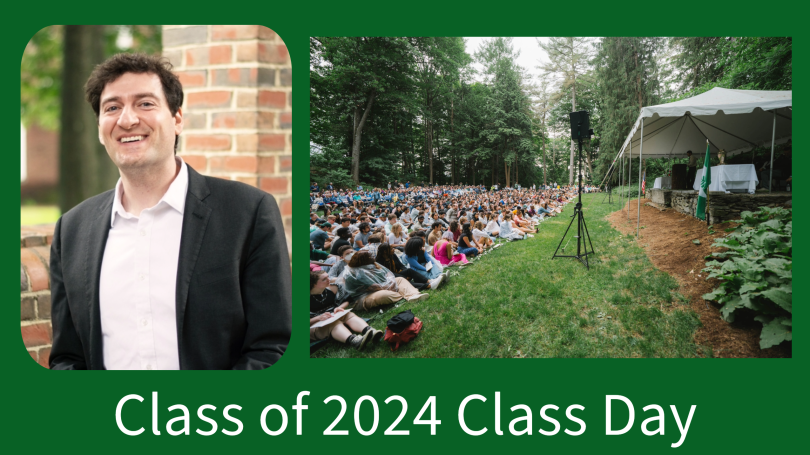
(416, 109)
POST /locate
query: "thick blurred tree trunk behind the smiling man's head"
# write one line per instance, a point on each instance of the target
(85, 169)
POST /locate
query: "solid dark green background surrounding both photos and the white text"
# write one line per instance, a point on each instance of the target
(745, 405)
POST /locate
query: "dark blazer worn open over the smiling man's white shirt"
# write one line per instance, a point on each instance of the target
(234, 298)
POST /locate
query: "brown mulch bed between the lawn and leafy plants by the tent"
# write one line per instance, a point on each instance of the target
(667, 238)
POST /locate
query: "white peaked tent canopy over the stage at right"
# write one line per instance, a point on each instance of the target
(732, 120)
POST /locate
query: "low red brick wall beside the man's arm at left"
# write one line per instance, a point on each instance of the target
(35, 292)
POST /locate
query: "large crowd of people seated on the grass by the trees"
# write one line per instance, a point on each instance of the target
(380, 246)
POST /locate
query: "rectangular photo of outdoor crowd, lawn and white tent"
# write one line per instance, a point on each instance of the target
(550, 197)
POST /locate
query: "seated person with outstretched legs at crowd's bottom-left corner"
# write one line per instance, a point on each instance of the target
(323, 304)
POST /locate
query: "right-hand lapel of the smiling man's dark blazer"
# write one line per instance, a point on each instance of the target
(195, 219)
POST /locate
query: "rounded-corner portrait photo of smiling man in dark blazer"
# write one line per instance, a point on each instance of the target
(156, 197)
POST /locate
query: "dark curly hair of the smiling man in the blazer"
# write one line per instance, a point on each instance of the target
(120, 64)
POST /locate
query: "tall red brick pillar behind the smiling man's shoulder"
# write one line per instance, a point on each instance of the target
(238, 119)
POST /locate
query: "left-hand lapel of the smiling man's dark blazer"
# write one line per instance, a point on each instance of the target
(95, 239)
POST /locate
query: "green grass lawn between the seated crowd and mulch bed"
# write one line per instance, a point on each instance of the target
(517, 302)
